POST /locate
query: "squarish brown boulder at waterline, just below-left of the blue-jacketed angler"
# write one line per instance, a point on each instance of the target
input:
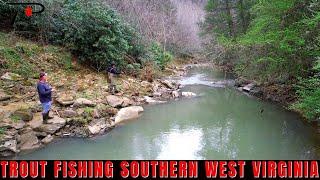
(29, 141)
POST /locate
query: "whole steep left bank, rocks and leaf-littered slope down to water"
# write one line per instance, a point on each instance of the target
(82, 105)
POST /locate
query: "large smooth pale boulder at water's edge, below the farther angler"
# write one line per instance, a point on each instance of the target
(128, 113)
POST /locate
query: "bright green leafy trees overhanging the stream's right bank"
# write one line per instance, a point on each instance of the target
(281, 44)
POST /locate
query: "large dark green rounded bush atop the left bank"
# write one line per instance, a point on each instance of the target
(95, 33)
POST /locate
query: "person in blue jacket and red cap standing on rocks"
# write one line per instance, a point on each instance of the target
(45, 92)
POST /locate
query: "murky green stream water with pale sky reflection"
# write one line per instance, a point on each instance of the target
(221, 123)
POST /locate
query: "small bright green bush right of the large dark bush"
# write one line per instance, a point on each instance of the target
(158, 55)
